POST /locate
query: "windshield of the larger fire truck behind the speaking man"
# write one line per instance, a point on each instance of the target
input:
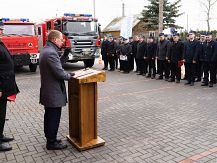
(81, 28)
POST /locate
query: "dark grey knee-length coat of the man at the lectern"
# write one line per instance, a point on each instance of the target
(53, 90)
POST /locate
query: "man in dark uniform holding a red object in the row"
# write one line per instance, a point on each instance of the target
(175, 56)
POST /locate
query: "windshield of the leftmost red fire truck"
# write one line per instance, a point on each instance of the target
(17, 29)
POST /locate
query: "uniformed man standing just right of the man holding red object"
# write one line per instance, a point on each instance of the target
(190, 58)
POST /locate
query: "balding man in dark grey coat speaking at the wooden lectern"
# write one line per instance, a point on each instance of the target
(53, 92)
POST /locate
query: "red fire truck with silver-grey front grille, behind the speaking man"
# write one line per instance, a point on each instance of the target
(81, 34)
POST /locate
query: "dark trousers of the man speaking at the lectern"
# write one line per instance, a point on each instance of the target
(51, 123)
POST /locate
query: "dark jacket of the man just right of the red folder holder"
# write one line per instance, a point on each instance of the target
(189, 52)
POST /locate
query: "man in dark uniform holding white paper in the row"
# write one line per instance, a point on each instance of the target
(125, 55)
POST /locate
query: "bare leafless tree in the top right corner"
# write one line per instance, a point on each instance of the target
(208, 7)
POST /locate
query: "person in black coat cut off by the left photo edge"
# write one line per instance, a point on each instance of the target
(8, 87)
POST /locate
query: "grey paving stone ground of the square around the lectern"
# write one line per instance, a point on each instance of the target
(142, 120)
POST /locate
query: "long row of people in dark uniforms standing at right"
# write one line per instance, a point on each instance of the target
(165, 57)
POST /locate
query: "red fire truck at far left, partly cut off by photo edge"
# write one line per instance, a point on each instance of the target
(21, 40)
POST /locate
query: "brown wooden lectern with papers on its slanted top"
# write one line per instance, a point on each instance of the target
(82, 92)
